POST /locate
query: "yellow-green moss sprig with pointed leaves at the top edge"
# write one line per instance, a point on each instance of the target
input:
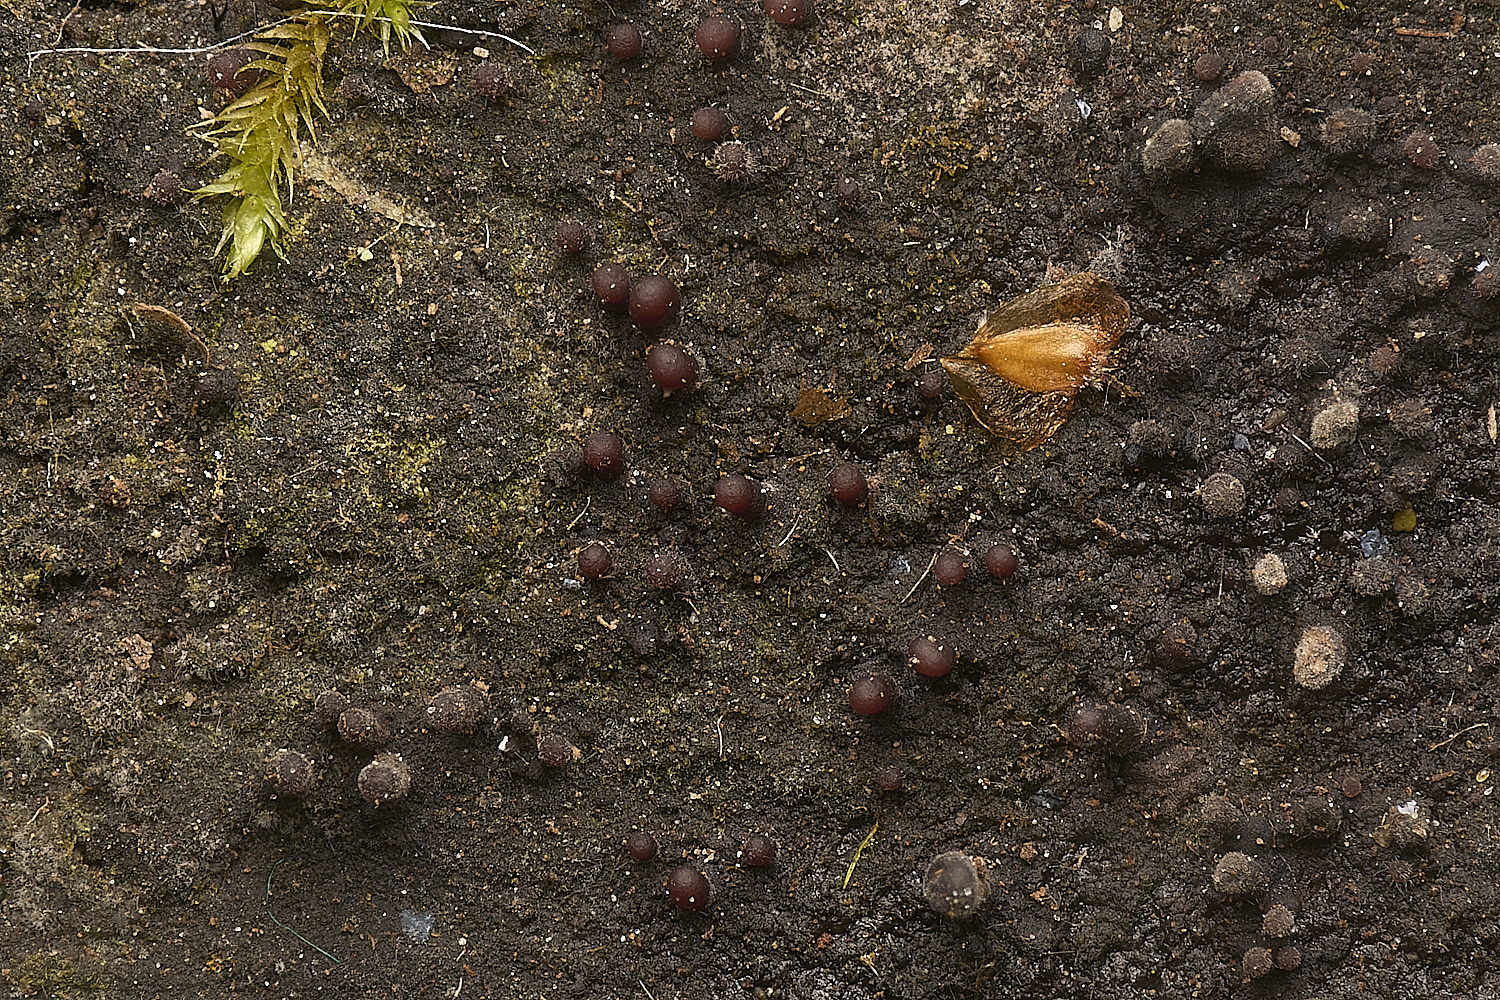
(262, 131)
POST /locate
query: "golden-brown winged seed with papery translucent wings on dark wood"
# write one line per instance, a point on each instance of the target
(1031, 358)
